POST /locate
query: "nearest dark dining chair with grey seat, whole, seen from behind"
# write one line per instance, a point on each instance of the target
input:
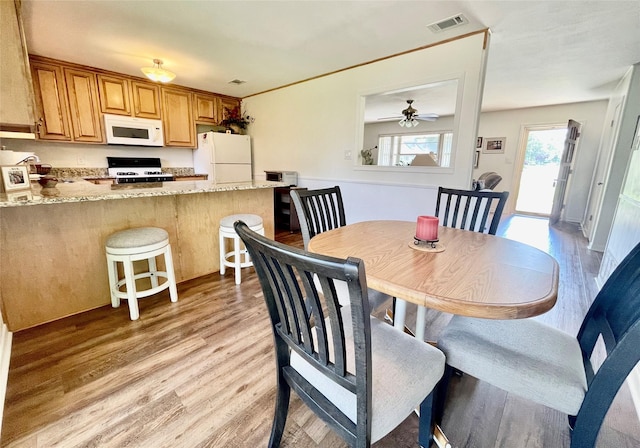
(361, 376)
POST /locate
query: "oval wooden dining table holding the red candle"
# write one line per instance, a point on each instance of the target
(475, 274)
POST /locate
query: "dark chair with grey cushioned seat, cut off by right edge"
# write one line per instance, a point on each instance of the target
(545, 365)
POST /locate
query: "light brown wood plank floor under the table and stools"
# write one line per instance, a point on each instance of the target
(200, 372)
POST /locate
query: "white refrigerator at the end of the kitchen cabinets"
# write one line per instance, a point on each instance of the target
(224, 157)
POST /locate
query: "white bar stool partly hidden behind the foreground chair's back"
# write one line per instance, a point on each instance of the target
(234, 259)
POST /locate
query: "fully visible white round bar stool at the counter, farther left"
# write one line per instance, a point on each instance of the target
(127, 246)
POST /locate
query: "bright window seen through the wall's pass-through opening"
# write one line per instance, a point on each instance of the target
(432, 149)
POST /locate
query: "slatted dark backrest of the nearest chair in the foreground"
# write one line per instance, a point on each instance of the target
(287, 278)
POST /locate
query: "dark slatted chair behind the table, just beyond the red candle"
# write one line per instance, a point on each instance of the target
(470, 209)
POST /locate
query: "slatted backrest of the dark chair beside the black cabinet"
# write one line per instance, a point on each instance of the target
(318, 211)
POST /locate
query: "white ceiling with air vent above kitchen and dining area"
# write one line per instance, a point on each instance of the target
(541, 53)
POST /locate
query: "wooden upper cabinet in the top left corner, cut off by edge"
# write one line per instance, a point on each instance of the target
(16, 91)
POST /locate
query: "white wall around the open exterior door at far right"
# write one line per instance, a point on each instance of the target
(511, 123)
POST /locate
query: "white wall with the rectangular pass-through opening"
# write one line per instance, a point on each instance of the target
(308, 127)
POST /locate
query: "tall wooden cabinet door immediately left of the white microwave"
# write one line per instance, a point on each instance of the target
(84, 106)
